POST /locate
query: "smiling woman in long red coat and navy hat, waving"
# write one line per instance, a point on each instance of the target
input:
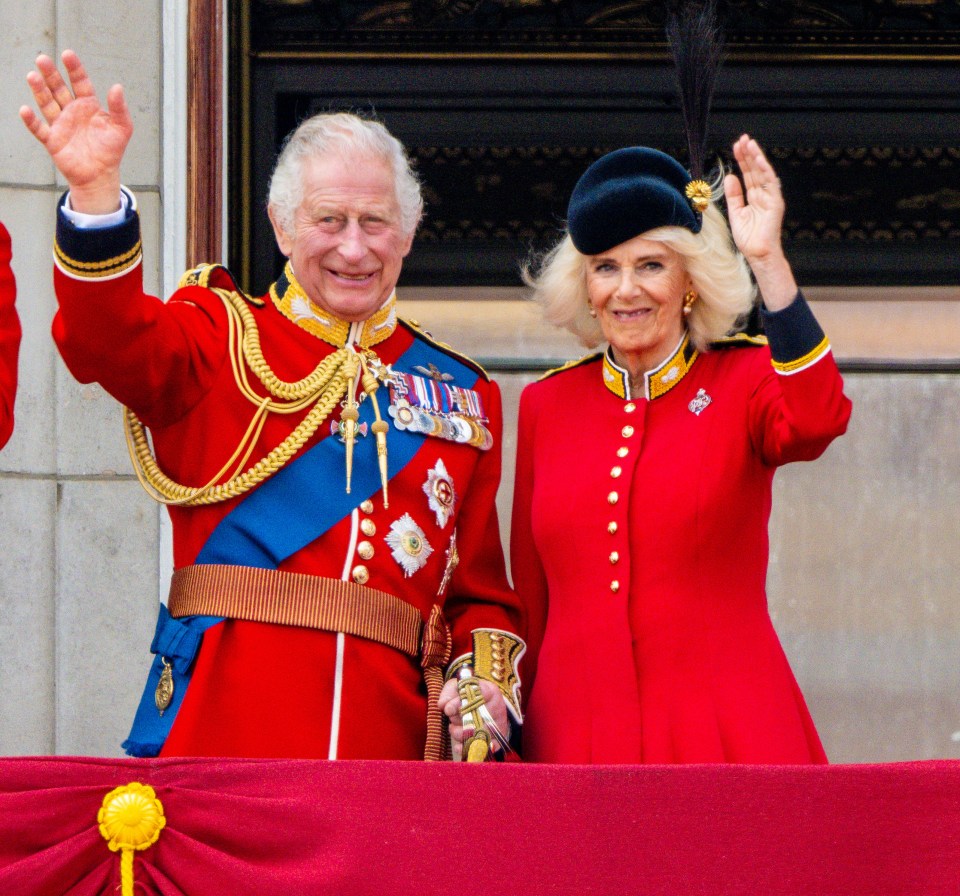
(643, 487)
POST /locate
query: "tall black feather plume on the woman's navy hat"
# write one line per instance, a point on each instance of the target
(696, 42)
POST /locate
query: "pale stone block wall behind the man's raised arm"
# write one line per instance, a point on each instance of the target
(81, 559)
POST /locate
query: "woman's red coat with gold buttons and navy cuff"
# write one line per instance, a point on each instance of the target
(639, 542)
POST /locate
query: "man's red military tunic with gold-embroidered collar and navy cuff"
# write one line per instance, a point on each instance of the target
(274, 690)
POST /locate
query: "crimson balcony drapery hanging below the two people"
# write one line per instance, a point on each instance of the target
(301, 827)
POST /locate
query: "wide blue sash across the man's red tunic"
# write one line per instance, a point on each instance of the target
(294, 507)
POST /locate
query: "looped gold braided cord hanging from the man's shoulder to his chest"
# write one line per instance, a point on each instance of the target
(324, 387)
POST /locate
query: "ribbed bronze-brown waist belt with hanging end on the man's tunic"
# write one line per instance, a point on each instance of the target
(290, 598)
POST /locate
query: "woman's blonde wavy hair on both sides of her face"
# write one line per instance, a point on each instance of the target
(720, 275)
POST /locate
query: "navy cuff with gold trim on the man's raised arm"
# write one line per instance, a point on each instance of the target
(92, 253)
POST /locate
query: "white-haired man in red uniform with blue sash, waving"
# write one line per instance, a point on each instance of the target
(330, 470)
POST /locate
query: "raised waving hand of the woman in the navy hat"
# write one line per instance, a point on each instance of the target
(756, 221)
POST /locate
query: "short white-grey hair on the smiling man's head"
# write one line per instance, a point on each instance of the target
(348, 135)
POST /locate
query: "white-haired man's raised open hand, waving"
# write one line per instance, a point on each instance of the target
(85, 140)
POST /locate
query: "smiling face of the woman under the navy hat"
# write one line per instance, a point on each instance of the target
(637, 291)
